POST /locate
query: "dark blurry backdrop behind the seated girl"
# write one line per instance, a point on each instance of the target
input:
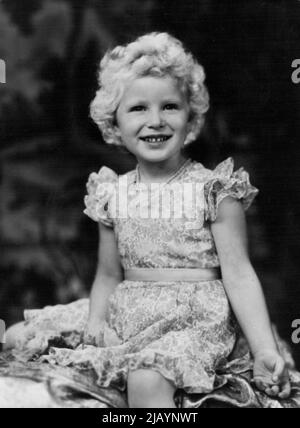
(49, 145)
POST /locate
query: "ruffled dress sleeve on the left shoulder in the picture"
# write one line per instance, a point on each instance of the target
(100, 190)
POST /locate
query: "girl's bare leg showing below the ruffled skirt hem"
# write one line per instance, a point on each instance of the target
(149, 389)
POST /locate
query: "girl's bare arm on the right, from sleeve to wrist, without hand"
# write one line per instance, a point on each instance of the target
(240, 280)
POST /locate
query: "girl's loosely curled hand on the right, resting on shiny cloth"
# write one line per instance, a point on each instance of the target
(271, 374)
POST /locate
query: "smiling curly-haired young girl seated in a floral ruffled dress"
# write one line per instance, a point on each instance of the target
(160, 321)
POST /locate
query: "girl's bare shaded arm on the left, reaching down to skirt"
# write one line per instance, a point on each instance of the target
(108, 275)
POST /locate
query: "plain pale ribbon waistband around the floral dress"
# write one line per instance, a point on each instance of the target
(169, 274)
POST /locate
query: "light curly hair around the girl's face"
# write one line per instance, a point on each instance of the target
(154, 54)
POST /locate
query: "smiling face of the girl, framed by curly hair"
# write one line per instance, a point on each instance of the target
(153, 118)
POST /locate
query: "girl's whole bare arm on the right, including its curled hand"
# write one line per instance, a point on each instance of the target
(246, 296)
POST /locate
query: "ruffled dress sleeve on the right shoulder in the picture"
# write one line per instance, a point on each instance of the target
(225, 182)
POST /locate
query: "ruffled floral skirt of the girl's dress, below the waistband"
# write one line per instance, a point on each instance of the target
(183, 330)
